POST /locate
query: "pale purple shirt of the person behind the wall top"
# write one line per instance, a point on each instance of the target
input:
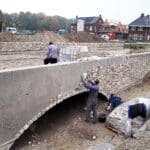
(52, 52)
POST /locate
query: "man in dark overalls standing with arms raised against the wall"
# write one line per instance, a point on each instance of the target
(92, 100)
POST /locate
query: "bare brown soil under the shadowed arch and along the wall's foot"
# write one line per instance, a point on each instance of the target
(64, 128)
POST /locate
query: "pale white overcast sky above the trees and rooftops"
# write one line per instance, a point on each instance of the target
(121, 10)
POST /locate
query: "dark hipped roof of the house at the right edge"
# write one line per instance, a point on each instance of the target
(143, 21)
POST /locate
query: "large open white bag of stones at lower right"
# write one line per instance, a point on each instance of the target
(117, 119)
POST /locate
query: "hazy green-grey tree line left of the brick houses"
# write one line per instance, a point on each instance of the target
(34, 21)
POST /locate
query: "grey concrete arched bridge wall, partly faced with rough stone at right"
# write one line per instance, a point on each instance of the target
(27, 93)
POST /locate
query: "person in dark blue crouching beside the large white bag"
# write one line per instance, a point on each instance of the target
(113, 102)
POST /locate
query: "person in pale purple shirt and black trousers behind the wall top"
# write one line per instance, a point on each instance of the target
(52, 54)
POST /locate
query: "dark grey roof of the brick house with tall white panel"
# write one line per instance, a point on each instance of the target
(87, 20)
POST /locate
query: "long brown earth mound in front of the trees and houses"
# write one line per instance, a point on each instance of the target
(50, 36)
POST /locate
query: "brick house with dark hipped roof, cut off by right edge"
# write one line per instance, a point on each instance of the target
(139, 29)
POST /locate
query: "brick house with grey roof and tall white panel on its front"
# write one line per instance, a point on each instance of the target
(86, 24)
